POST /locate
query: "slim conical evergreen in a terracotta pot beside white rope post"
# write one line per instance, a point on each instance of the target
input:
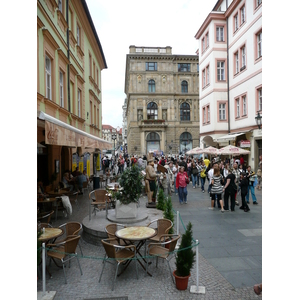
(185, 259)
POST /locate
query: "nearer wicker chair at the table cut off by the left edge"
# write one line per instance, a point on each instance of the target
(64, 251)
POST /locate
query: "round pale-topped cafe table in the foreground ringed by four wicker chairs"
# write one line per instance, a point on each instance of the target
(138, 234)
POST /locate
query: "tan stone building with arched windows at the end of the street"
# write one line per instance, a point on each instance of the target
(162, 93)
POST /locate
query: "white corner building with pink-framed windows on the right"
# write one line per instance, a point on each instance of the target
(230, 81)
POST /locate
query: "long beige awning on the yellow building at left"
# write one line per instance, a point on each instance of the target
(63, 134)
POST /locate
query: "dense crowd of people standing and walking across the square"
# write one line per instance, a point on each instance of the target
(226, 178)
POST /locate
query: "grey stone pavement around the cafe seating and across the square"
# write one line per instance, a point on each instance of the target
(160, 285)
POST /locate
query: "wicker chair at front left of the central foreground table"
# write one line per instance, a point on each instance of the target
(117, 254)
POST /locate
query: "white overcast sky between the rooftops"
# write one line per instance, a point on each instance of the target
(156, 23)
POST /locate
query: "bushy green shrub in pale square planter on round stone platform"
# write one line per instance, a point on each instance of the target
(128, 197)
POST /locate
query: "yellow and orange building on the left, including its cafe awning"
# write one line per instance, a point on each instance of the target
(69, 100)
